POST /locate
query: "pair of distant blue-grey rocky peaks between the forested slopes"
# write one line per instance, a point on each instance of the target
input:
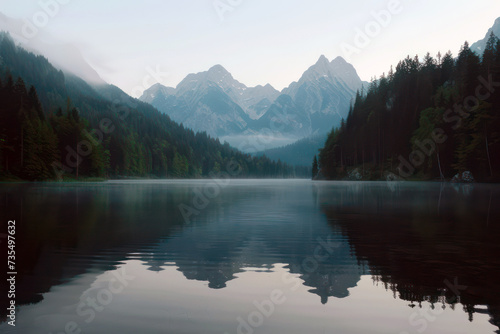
(216, 103)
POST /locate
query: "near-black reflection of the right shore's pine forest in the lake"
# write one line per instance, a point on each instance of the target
(435, 243)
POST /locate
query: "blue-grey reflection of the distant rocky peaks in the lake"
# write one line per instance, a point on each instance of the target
(217, 251)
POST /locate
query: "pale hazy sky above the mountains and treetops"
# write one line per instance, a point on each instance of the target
(258, 41)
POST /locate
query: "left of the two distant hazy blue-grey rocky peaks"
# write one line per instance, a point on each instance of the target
(212, 101)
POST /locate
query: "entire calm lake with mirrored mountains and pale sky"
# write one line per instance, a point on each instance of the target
(254, 256)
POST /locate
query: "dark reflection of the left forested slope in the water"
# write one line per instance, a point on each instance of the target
(64, 231)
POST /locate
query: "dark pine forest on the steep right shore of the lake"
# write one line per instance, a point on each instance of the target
(428, 119)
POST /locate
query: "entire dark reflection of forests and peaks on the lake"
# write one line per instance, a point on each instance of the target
(413, 238)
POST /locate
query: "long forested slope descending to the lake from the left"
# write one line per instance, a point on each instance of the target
(55, 126)
